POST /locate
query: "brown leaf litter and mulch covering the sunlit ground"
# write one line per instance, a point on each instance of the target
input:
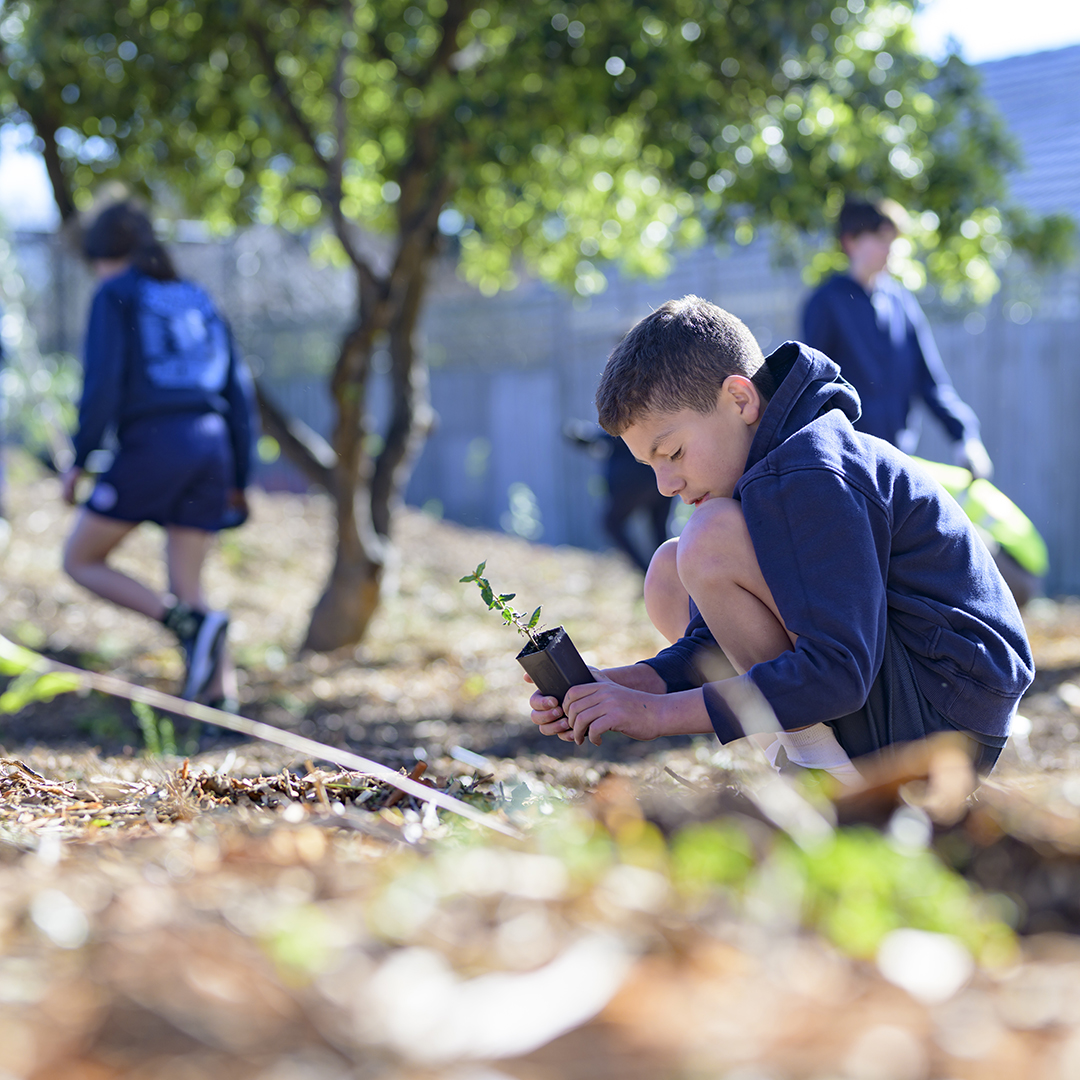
(250, 911)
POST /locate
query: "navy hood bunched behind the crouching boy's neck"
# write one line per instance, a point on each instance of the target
(808, 385)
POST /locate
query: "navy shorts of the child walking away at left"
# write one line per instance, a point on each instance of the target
(171, 469)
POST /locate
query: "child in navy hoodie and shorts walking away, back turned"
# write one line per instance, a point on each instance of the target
(161, 373)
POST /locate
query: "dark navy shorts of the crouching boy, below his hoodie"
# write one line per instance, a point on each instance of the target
(897, 712)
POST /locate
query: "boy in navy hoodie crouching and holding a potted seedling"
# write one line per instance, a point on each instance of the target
(844, 585)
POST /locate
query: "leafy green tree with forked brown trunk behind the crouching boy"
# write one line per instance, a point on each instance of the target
(565, 138)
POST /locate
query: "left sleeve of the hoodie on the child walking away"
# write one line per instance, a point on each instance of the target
(103, 373)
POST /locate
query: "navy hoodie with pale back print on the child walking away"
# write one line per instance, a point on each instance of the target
(156, 347)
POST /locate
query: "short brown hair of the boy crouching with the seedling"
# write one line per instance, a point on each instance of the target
(676, 358)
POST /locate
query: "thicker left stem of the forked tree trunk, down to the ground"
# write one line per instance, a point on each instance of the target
(352, 596)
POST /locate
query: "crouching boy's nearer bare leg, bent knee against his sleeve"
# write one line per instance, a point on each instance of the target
(718, 566)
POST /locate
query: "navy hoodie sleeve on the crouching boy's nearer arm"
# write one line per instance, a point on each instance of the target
(823, 548)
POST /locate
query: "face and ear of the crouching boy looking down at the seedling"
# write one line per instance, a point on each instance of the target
(700, 456)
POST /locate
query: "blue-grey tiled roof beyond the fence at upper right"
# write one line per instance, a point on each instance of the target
(1038, 96)
